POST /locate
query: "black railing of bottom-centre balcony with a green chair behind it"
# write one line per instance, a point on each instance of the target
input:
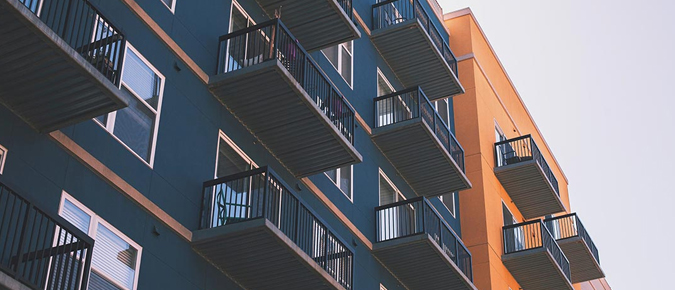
(259, 193)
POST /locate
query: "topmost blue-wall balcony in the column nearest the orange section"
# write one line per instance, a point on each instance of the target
(414, 49)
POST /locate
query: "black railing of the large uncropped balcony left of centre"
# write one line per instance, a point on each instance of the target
(346, 119)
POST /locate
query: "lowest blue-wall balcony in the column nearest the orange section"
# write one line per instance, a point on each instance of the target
(418, 246)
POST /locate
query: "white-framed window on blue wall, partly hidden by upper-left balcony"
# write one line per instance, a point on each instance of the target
(136, 125)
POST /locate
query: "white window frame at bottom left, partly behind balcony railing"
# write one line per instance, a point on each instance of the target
(94, 221)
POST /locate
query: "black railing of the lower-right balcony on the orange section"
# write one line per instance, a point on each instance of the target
(570, 226)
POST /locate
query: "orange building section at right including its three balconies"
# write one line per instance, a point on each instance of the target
(517, 220)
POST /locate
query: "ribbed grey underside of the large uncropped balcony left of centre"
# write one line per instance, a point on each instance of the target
(270, 103)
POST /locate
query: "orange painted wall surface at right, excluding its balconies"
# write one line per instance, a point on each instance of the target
(490, 100)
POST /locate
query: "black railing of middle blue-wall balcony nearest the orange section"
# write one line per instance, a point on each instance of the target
(422, 97)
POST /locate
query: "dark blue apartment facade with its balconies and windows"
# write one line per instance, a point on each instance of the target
(243, 144)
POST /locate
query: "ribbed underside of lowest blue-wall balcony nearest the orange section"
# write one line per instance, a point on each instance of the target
(420, 263)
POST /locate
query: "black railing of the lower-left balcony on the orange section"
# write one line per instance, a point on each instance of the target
(533, 235)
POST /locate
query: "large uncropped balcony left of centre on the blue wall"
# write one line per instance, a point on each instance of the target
(270, 83)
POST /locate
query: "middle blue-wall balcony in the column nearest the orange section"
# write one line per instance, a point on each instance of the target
(414, 138)
